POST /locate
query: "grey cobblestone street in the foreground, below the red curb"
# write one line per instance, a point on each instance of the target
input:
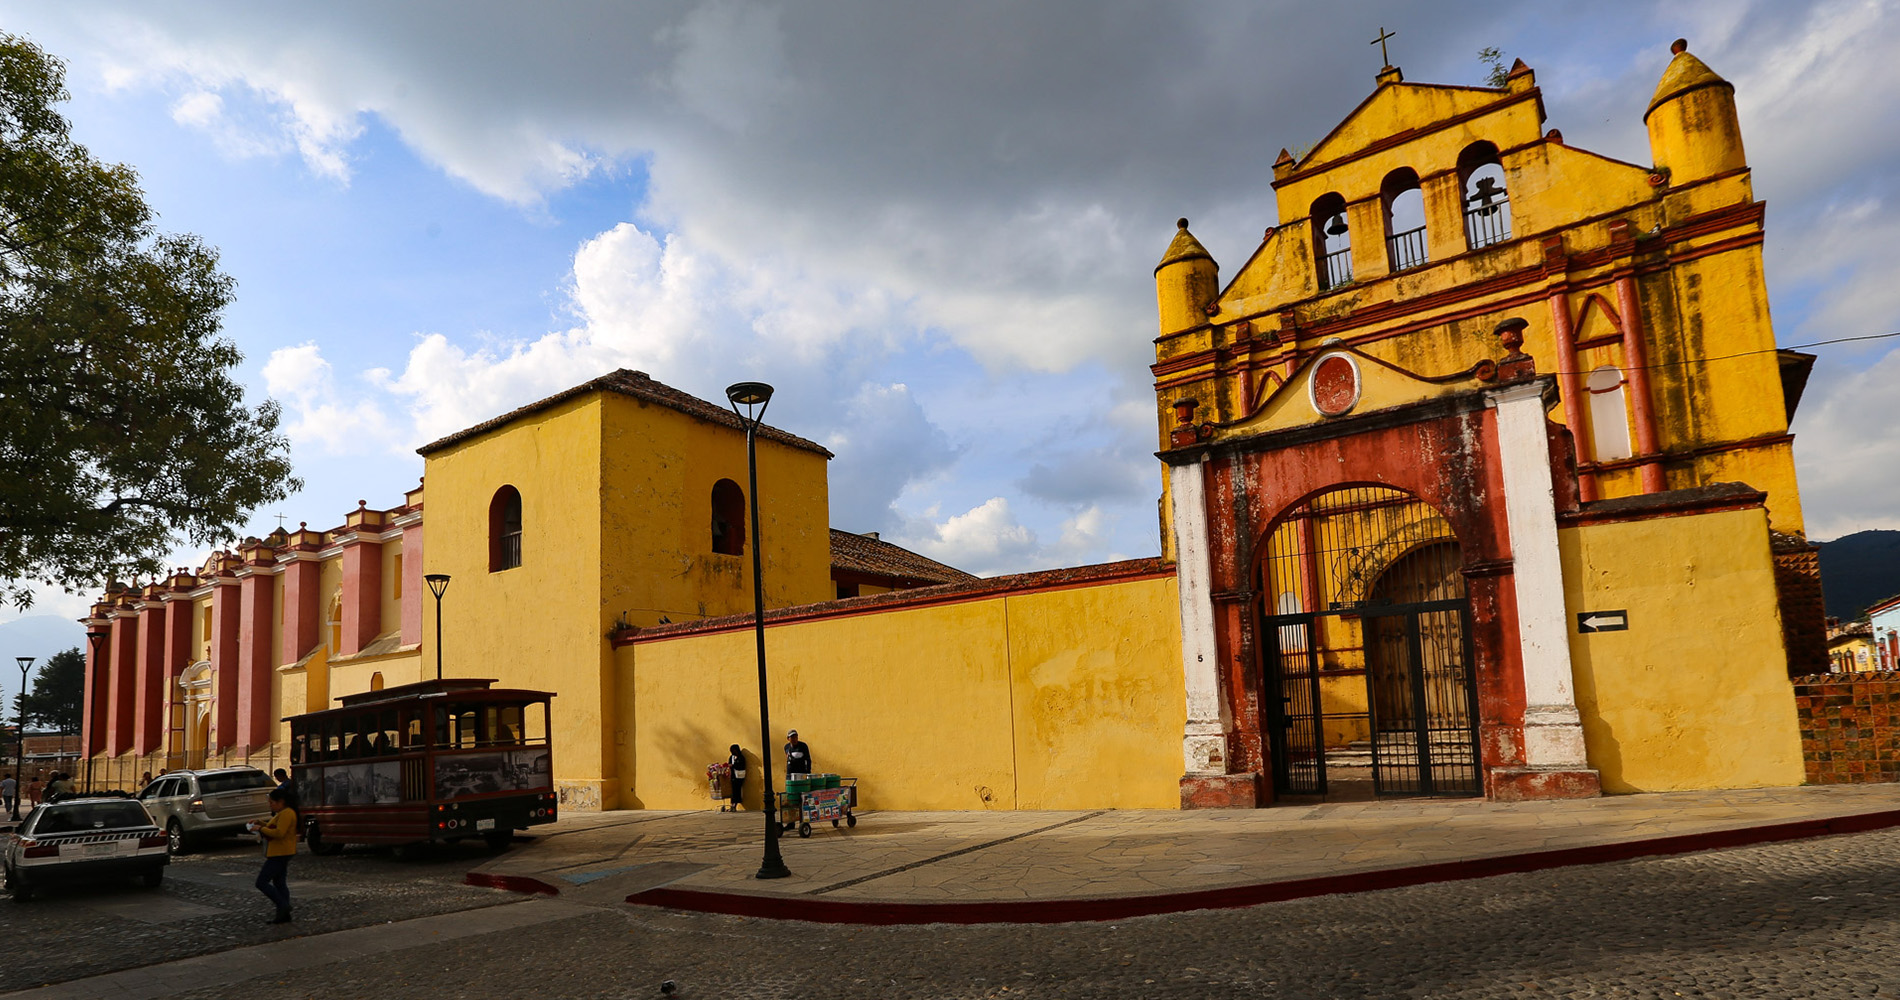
(1802, 919)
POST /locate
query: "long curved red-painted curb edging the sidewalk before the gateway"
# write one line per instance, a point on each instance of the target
(1120, 908)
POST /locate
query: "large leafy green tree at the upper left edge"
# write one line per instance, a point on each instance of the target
(123, 431)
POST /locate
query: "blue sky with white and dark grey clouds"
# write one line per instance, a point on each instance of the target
(930, 225)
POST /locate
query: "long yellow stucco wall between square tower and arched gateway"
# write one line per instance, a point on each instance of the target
(1061, 699)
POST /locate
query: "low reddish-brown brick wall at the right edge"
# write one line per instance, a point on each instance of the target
(1850, 727)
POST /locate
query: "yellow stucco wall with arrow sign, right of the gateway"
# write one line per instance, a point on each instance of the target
(1696, 695)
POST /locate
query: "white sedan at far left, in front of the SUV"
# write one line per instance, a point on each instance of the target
(79, 841)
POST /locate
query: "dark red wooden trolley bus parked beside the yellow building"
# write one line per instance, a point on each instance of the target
(423, 763)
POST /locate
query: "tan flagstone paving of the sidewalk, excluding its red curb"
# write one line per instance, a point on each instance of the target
(1016, 856)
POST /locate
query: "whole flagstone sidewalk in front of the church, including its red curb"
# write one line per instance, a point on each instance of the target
(1099, 866)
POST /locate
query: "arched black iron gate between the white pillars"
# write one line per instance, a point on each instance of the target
(1367, 647)
